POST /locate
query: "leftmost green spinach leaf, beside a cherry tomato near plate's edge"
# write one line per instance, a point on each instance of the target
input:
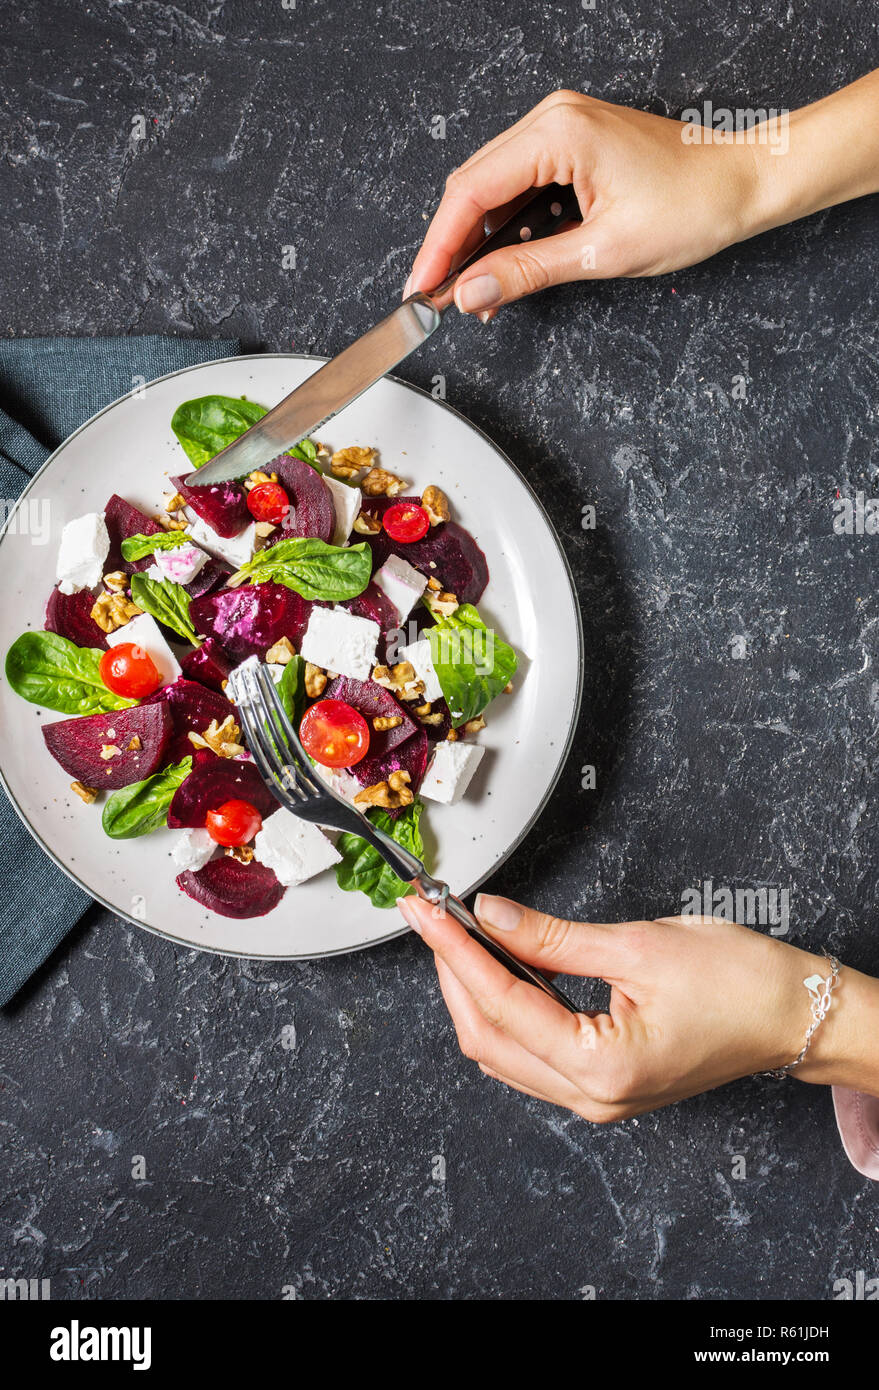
(49, 671)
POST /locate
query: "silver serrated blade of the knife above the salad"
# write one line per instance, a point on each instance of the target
(326, 393)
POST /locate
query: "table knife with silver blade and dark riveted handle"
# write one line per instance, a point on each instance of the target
(378, 352)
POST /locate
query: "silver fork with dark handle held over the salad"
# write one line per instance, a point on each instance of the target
(290, 776)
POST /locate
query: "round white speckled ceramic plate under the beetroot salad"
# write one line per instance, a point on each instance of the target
(130, 450)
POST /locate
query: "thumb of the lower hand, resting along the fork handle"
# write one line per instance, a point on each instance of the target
(550, 943)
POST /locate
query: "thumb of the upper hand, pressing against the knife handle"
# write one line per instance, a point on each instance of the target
(507, 276)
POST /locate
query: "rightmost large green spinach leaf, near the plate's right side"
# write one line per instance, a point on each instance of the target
(472, 662)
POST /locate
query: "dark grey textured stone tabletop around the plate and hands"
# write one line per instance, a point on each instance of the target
(316, 1167)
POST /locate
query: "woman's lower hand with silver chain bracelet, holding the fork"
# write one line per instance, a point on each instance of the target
(695, 1003)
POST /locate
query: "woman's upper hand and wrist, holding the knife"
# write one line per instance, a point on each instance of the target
(652, 201)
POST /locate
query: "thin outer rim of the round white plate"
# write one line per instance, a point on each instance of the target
(570, 737)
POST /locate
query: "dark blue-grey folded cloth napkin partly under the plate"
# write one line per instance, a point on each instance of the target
(48, 389)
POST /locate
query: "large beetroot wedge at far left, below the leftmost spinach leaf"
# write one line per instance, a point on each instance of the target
(79, 743)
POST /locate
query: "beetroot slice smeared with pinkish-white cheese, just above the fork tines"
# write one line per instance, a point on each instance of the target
(248, 621)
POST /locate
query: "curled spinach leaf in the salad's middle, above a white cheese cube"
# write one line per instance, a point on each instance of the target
(312, 568)
